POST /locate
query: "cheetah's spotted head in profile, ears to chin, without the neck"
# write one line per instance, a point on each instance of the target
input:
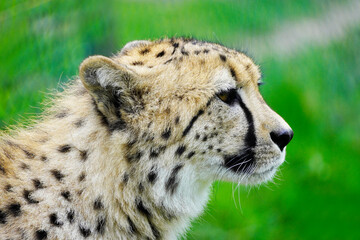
(188, 103)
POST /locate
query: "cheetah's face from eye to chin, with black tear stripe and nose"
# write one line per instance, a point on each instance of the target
(244, 140)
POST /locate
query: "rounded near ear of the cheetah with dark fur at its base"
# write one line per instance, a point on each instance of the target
(110, 84)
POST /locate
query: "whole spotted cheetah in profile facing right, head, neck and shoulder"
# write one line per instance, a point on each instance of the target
(131, 147)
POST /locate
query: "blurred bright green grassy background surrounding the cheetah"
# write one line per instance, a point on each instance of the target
(316, 194)
